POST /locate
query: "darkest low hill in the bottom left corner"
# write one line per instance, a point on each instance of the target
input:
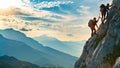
(11, 62)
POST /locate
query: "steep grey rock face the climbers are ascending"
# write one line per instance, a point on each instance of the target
(103, 49)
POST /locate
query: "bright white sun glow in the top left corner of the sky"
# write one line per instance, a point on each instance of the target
(8, 3)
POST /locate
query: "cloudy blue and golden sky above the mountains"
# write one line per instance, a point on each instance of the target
(65, 20)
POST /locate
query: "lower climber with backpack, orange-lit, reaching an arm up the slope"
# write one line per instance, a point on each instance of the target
(92, 24)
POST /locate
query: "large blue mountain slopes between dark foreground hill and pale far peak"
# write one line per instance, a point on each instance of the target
(16, 44)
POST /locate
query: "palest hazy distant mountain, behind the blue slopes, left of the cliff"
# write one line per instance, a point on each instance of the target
(69, 47)
